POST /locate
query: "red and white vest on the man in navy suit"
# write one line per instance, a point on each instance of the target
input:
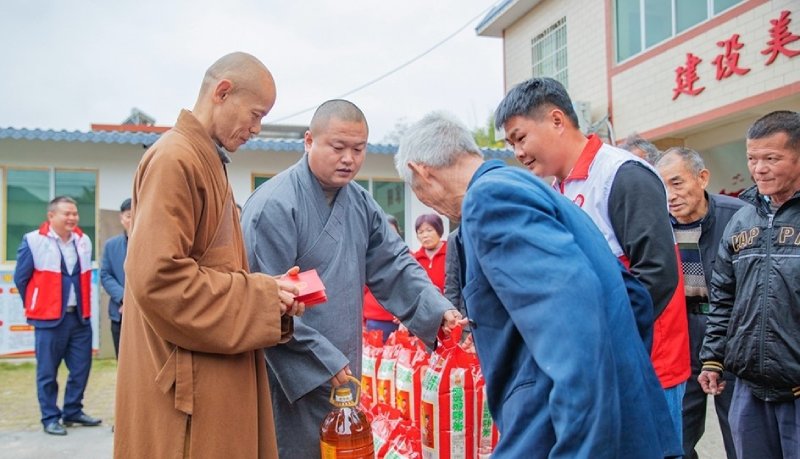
(43, 296)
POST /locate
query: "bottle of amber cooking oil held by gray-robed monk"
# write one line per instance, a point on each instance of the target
(346, 433)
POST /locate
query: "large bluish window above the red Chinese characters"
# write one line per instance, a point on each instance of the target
(642, 24)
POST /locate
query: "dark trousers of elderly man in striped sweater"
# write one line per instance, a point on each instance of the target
(694, 400)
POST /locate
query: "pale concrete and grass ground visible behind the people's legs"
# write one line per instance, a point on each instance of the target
(21, 435)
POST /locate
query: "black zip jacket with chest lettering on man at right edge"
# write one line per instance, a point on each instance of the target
(755, 299)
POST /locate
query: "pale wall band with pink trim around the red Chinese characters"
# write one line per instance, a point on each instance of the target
(642, 88)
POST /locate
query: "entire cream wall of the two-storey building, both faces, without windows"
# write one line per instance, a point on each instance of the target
(641, 88)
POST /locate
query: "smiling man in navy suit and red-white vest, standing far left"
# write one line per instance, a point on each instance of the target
(53, 275)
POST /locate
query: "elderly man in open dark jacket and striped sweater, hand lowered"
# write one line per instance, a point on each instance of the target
(698, 219)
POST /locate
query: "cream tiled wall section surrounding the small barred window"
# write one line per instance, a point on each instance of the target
(586, 56)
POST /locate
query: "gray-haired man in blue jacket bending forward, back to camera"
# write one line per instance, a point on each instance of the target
(567, 374)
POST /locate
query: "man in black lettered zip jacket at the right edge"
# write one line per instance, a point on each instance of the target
(755, 307)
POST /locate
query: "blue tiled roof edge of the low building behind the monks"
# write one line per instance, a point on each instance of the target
(147, 138)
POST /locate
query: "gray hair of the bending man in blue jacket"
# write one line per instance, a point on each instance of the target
(437, 140)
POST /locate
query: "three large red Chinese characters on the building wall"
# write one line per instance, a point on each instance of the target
(727, 63)
